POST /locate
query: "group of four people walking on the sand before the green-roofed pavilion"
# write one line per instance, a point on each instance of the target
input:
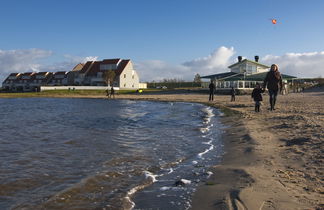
(272, 81)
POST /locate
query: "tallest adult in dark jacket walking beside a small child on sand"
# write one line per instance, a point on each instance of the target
(273, 81)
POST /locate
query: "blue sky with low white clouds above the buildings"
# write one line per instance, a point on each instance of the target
(164, 39)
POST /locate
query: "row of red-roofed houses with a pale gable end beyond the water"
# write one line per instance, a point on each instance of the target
(91, 73)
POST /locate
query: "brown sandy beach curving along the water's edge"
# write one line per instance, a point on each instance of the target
(271, 161)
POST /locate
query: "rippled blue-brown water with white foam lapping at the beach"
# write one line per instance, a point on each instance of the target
(96, 154)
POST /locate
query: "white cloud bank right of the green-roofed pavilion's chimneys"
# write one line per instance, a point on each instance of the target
(308, 65)
